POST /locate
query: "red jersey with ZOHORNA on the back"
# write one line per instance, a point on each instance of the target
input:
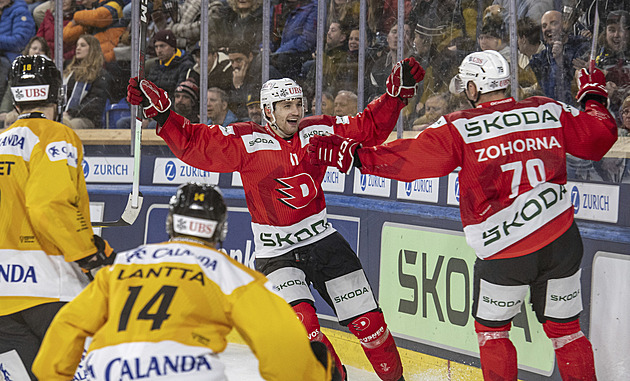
(513, 167)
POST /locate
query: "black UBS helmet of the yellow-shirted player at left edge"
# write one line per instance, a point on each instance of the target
(35, 80)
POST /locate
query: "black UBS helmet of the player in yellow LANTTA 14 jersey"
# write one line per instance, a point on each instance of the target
(197, 210)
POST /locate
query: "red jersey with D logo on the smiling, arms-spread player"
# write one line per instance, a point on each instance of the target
(282, 189)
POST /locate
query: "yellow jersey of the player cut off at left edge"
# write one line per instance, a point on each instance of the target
(44, 214)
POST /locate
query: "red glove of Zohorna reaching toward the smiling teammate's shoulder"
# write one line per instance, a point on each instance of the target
(333, 151)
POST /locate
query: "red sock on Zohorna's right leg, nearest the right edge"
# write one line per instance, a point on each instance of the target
(574, 352)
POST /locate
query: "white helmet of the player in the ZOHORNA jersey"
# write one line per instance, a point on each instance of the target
(488, 70)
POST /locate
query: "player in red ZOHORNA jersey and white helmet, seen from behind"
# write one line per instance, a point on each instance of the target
(516, 212)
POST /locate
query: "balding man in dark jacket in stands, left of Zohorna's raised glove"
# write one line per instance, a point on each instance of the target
(553, 66)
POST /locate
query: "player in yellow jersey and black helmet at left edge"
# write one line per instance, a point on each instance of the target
(45, 230)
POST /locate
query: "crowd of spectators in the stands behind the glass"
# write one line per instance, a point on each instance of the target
(552, 45)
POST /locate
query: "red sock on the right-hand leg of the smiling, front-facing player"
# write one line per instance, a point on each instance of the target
(378, 345)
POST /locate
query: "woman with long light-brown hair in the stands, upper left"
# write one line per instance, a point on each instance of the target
(88, 85)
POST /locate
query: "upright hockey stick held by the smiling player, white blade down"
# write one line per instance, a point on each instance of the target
(134, 202)
